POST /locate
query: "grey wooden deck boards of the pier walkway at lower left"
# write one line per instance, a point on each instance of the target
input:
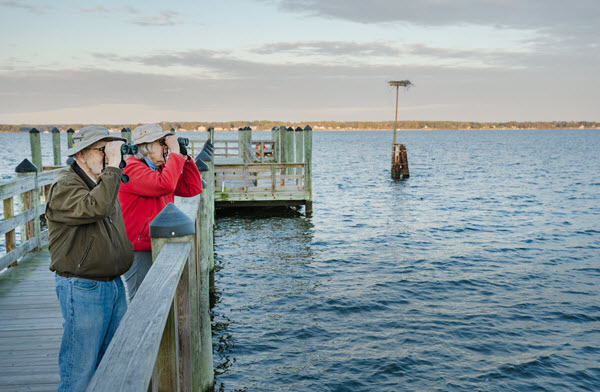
(30, 326)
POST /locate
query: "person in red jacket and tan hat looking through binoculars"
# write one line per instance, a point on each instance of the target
(157, 173)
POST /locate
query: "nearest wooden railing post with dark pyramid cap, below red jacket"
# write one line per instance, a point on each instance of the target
(173, 370)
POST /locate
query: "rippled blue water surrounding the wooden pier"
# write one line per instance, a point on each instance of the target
(479, 273)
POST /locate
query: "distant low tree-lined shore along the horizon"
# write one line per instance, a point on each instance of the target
(319, 125)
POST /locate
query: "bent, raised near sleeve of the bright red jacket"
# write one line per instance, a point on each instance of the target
(146, 182)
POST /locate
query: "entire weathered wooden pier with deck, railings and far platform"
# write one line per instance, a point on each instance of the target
(164, 341)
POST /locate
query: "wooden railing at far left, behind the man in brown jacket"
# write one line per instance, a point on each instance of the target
(29, 190)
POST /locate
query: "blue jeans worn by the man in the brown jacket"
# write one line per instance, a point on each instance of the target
(91, 313)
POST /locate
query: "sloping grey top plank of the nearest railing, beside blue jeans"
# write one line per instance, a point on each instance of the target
(128, 362)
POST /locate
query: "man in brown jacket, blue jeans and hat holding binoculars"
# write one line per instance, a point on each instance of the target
(90, 251)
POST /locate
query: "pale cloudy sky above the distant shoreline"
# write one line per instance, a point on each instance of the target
(298, 60)
